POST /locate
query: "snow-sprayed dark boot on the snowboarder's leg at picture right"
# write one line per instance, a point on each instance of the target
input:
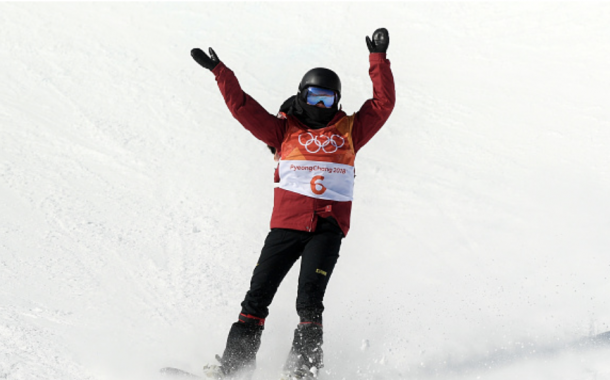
(306, 355)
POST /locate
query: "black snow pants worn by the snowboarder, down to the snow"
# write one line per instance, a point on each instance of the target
(319, 251)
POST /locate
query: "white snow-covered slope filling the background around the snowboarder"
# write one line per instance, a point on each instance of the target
(133, 207)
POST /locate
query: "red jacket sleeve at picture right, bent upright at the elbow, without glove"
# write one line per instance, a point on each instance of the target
(376, 111)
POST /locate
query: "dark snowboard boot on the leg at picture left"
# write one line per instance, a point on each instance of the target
(243, 342)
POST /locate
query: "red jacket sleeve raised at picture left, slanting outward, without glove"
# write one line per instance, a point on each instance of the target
(264, 126)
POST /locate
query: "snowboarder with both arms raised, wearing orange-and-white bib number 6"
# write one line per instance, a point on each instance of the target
(317, 144)
